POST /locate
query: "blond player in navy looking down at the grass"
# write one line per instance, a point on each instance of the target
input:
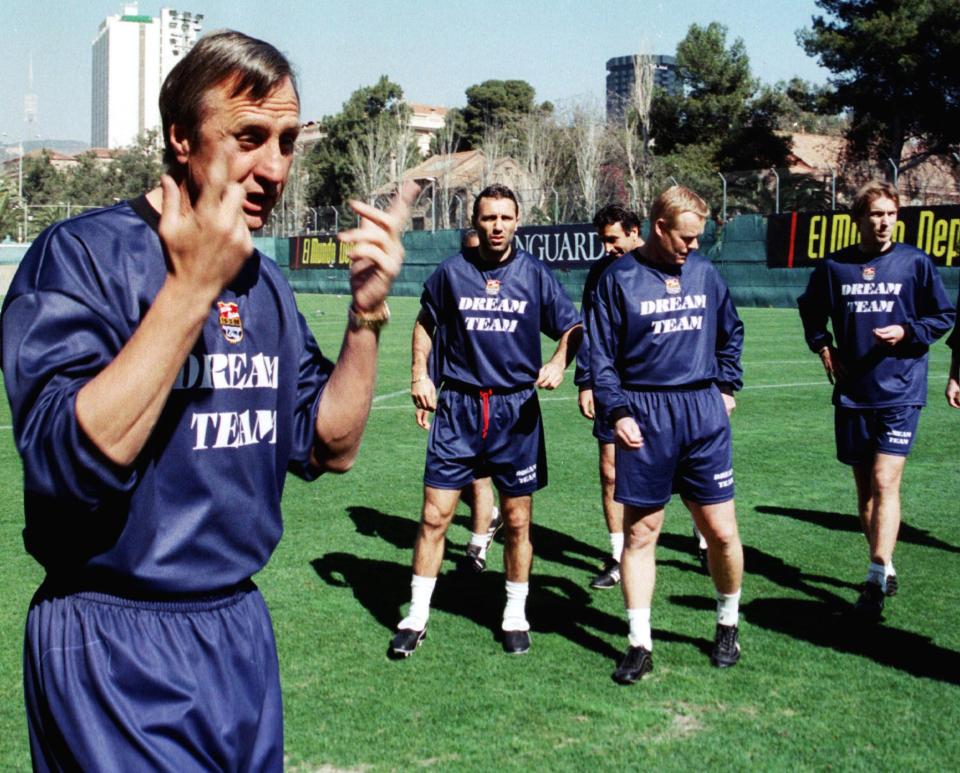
(665, 343)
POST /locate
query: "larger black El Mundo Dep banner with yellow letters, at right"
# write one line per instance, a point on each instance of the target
(799, 239)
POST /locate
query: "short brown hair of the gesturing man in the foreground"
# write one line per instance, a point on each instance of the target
(254, 66)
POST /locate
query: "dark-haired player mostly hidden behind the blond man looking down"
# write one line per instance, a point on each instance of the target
(619, 232)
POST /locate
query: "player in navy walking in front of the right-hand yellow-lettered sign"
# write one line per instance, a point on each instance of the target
(886, 305)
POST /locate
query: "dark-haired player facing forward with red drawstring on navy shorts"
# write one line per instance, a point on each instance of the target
(486, 308)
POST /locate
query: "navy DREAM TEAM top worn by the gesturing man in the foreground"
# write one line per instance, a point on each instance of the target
(199, 509)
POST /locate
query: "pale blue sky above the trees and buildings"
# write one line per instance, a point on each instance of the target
(434, 49)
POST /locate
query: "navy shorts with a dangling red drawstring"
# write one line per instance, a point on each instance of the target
(480, 435)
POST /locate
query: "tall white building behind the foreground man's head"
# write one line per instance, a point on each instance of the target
(132, 54)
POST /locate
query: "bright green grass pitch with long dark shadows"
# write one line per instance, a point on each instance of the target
(812, 690)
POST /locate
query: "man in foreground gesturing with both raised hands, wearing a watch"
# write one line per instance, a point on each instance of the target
(162, 384)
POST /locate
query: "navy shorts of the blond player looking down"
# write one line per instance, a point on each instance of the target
(687, 448)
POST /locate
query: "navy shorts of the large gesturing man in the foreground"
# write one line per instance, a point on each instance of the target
(113, 684)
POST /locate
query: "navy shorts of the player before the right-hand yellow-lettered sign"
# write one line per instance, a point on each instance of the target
(862, 433)
